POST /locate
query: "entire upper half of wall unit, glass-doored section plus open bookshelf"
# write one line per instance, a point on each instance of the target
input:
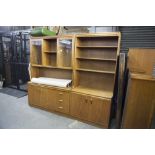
(90, 59)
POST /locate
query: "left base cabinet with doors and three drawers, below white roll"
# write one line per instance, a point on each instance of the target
(48, 98)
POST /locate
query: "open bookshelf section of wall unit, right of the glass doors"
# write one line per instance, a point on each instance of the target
(95, 63)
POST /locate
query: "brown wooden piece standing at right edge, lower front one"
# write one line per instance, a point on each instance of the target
(140, 102)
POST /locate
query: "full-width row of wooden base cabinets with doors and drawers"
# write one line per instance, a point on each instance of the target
(82, 106)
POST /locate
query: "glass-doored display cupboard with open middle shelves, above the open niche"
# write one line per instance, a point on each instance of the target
(56, 52)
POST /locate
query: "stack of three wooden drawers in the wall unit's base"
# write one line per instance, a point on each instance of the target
(62, 101)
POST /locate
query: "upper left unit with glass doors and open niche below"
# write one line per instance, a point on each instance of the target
(52, 56)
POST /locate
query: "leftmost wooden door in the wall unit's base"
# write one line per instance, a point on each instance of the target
(34, 93)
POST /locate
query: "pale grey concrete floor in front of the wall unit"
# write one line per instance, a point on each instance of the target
(15, 113)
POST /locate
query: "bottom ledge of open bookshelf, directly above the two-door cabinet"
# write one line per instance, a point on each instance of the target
(95, 92)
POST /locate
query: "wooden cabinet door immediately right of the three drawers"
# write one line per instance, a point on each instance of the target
(79, 106)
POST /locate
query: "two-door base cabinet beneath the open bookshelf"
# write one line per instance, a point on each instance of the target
(93, 109)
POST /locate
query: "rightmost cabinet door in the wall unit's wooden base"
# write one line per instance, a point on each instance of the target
(99, 110)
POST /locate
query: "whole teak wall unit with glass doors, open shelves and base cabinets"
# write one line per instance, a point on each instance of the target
(90, 60)
